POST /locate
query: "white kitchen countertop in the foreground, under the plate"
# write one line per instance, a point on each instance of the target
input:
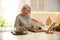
(30, 36)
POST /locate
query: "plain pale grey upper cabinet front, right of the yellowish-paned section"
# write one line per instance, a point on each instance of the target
(50, 5)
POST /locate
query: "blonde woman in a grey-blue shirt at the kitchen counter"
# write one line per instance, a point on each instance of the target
(23, 20)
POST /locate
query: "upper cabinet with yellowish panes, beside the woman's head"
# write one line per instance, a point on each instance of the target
(37, 5)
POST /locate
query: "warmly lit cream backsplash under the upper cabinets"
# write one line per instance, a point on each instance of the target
(42, 17)
